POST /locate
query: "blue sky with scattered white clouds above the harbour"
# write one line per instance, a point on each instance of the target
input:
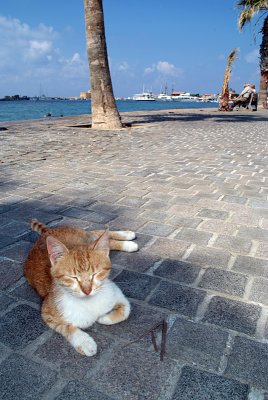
(151, 43)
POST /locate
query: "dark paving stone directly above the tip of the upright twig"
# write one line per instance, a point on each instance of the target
(180, 299)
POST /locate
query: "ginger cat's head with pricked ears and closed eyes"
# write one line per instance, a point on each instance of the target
(82, 270)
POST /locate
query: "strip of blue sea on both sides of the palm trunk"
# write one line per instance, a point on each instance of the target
(33, 109)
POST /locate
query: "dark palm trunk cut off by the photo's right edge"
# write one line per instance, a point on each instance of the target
(264, 65)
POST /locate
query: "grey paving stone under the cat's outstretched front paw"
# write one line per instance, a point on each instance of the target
(58, 351)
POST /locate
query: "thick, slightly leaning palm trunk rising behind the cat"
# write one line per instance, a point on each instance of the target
(104, 111)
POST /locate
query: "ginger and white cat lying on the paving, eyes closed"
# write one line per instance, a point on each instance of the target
(69, 268)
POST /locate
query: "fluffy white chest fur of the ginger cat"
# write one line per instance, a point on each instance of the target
(84, 311)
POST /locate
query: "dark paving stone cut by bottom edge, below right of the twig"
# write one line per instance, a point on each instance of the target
(200, 385)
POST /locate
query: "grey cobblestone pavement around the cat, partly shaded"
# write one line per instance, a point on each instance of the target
(193, 185)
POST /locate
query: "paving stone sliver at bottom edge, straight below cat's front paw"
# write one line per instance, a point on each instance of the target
(76, 390)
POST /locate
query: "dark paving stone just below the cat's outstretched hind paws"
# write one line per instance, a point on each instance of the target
(139, 261)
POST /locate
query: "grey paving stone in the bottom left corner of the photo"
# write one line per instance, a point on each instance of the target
(21, 378)
